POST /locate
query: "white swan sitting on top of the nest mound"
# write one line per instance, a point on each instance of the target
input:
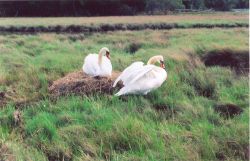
(98, 65)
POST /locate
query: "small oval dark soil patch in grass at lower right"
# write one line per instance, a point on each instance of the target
(228, 110)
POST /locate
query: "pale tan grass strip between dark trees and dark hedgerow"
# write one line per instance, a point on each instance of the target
(207, 18)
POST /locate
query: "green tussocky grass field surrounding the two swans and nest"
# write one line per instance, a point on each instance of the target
(175, 122)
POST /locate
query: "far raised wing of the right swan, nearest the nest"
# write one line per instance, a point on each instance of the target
(126, 74)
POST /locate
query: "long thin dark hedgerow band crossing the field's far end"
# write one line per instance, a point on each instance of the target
(113, 27)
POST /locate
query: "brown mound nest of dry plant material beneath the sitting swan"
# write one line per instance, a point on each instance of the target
(79, 83)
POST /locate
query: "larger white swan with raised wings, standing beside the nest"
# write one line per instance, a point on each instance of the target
(141, 79)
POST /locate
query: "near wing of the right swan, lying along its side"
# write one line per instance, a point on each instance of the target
(141, 73)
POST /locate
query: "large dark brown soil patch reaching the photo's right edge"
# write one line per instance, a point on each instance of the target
(237, 60)
